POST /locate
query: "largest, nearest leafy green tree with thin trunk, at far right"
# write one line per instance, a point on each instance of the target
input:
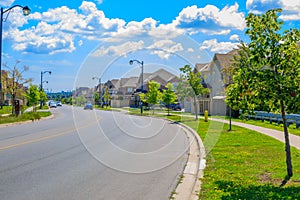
(267, 72)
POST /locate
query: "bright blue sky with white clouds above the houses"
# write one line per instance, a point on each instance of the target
(78, 40)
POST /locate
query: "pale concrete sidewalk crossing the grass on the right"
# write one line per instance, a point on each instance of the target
(278, 135)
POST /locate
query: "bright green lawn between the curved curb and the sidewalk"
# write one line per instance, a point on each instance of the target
(244, 164)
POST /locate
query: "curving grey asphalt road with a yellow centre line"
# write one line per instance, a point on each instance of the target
(83, 154)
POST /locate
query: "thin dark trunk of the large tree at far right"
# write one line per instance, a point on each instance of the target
(287, 143)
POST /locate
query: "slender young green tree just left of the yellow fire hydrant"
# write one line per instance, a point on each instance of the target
(194, 81)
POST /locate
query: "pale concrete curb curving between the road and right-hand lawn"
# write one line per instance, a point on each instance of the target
(190, 185)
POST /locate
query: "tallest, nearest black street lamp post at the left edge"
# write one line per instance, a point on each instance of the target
(26, 11)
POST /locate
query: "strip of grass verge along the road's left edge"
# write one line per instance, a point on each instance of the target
(24, 117)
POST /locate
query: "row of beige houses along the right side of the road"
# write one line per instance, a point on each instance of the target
(125, 91)
